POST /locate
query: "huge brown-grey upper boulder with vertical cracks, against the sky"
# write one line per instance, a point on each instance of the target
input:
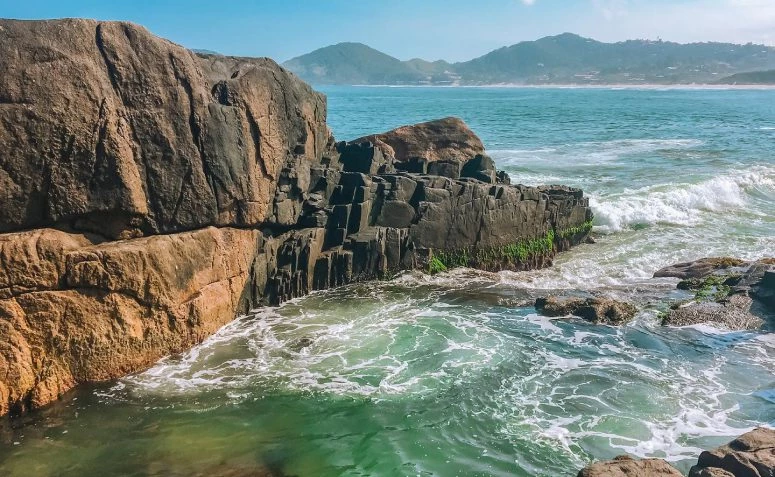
(107, 128)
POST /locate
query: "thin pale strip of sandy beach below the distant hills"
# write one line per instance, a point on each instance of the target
(654, 87)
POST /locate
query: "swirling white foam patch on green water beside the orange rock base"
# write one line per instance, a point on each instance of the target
(348, 354)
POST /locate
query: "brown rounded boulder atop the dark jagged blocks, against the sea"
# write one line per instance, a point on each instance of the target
(441, 139)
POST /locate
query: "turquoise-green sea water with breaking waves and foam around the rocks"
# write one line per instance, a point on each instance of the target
(455, 375)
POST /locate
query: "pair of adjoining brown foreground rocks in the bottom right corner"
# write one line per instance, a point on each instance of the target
(750, 455)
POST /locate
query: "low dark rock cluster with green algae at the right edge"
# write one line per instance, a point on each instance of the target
(728, 292)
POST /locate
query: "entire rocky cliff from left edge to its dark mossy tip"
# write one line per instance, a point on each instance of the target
(151, 195)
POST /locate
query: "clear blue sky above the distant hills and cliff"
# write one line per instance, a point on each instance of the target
(453, 30)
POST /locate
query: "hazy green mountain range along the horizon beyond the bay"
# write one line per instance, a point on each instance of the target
(561, 59)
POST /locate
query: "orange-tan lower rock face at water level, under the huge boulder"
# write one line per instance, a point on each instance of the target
(128, 303)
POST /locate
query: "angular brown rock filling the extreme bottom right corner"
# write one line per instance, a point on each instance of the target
(750, 455)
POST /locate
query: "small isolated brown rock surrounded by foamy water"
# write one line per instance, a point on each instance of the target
(597, 310)
